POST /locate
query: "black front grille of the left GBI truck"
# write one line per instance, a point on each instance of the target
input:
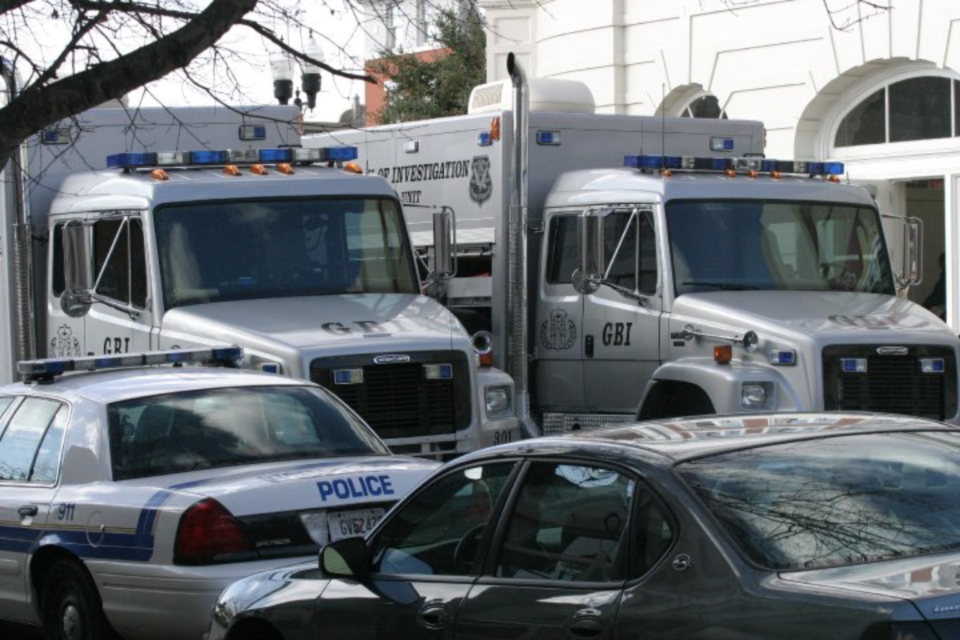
(397, 398)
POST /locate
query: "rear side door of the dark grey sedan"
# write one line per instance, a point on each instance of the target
(560, 559)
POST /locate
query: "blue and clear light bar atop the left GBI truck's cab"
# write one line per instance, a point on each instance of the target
(212, 158)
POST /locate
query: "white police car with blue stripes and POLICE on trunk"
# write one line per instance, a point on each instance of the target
(129, 498)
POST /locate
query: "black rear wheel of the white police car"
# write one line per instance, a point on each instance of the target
(70, 606)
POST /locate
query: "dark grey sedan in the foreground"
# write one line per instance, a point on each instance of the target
(725, 528)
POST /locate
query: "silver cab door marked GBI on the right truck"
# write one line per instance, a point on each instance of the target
(621, 328)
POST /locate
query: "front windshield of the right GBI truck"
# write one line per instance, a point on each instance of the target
(767, 245)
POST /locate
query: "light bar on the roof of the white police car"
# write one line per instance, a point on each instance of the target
(47, 369)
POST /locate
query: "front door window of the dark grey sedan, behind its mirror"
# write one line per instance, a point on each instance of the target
(438, 532)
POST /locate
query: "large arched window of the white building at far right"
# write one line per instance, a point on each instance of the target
(922, 108)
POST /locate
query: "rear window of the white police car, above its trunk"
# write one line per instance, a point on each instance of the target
(216, 428)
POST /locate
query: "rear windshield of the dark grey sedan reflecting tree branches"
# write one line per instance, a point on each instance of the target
(836, 501)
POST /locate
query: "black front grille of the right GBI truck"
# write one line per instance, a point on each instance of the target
(892, 382)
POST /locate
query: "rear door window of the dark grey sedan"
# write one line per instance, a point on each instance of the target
(567, 524)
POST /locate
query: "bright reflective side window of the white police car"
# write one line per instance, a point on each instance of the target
(23, 436)
